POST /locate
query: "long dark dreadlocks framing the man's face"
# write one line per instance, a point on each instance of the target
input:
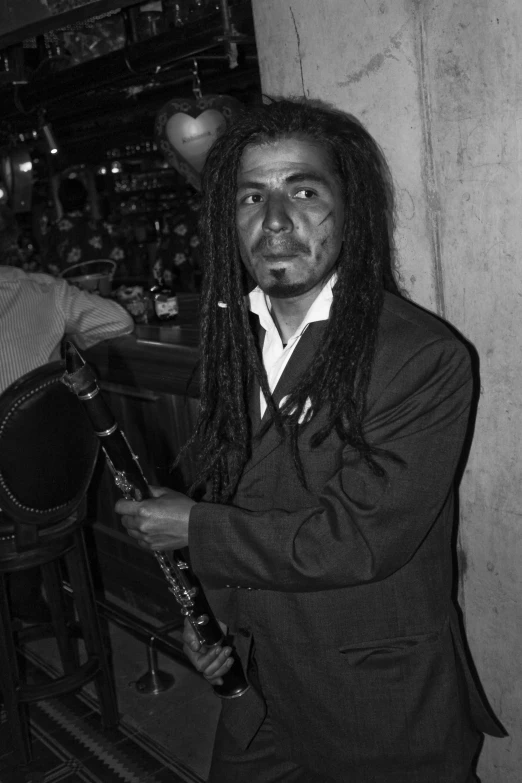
(339, 373)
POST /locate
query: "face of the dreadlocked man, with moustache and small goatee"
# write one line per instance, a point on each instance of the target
(289, 216)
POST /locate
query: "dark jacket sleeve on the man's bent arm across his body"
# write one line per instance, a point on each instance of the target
(361, 527)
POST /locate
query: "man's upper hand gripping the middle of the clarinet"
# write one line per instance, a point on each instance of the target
(158, 523)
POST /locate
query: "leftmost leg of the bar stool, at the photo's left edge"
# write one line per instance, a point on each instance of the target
(16, 712)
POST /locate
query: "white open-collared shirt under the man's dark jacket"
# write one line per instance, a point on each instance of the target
(275, 355)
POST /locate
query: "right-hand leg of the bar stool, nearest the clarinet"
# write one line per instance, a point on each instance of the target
(81, 583)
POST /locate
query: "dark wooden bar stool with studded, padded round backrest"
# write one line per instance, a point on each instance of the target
(47, 456)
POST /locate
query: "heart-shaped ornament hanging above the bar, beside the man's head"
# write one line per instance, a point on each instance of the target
(186, 129)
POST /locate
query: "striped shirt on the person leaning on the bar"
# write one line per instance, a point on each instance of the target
(37, 311)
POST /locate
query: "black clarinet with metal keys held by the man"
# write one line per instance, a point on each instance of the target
(130, 480)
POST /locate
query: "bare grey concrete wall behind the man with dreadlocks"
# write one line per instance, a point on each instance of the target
(439, 85)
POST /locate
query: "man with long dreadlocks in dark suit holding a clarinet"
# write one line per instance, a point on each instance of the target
(332, 419)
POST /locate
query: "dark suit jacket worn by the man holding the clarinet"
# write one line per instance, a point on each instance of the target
(345, 588)
